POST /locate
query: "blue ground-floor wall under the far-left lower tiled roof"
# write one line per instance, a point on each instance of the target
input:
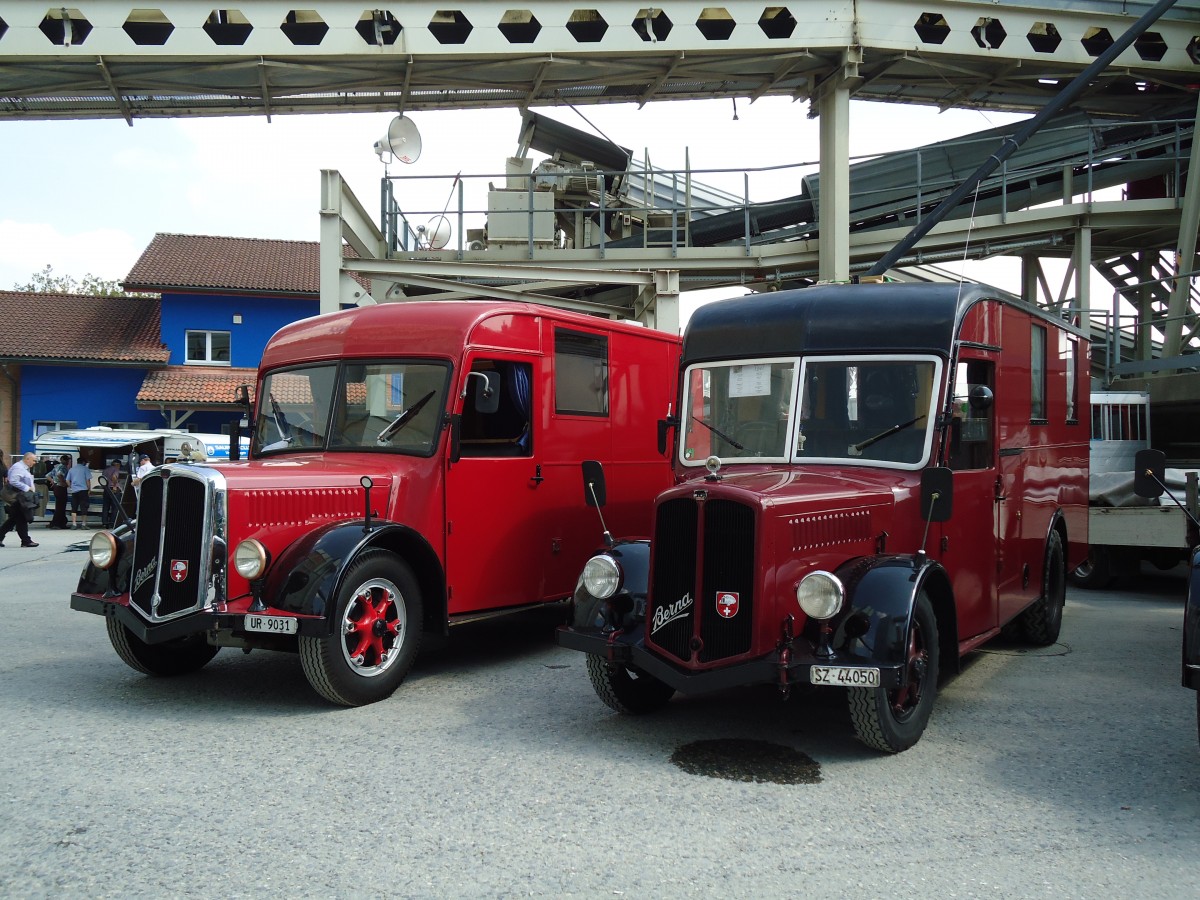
(87, 395)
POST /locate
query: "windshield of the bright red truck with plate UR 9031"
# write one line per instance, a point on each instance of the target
(379, 406)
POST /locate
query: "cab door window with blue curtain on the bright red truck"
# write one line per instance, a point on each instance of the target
(500, 425)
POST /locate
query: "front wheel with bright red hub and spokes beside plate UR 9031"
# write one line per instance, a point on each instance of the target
(376, 633)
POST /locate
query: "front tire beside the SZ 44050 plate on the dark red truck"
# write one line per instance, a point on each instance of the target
(895, 719)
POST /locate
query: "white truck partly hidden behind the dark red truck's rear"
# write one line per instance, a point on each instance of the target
(1125, 530)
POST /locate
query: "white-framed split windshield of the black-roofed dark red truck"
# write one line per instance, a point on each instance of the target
(851, 410)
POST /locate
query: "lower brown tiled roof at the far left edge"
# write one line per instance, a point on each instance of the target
(77, 328)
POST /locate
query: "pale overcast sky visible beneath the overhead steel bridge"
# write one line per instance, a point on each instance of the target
(87, 197)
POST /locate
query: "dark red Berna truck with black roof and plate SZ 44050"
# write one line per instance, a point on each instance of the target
(873, 482)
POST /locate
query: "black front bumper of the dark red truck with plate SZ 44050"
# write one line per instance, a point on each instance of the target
(787, 667)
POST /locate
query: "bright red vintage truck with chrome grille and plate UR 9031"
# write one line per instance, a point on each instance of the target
(413, 466)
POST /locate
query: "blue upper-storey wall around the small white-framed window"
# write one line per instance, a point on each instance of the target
(261, 319)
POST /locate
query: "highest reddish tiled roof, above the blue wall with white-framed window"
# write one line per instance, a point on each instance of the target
(244, 265)
